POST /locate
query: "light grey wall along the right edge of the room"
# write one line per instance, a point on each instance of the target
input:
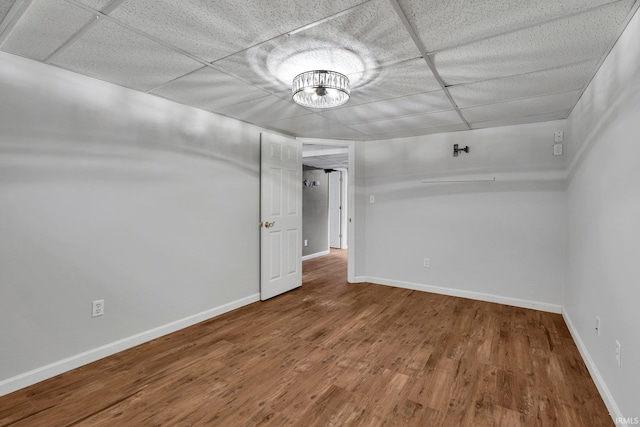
(604, 224)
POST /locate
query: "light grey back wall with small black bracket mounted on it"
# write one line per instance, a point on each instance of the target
(499, 241)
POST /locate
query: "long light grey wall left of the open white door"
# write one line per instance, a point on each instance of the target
(109, 193)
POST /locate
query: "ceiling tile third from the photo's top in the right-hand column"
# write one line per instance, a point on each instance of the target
(561, 79)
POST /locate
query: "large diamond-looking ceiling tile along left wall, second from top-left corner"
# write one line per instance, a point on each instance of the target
(115, 54)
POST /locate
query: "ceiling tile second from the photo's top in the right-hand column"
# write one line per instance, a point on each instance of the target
(579, 38)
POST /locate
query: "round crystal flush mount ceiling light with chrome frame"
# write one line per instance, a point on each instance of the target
(320, 89)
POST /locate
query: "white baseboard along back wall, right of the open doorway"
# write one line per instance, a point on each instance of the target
(535, 305)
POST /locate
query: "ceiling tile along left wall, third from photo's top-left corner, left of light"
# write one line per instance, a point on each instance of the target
(208, 89)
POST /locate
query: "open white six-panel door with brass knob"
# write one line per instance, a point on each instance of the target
(281, 215)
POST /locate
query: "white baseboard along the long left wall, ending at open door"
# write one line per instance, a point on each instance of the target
(45, 372)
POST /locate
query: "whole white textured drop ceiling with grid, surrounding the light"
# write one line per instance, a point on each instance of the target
(417, 66)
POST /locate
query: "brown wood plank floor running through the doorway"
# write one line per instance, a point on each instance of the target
(332, 353)
